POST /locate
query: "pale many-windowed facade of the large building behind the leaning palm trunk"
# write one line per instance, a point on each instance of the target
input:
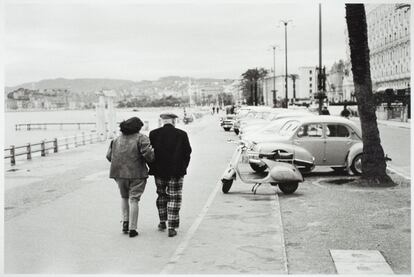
(389, 44)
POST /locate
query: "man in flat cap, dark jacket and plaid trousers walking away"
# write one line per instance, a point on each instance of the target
(172, 156)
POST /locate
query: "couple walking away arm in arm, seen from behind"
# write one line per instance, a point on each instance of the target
(167, 153)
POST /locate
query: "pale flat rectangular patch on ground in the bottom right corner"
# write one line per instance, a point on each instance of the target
(360, 262)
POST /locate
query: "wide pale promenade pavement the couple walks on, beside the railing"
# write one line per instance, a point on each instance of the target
(62, 216)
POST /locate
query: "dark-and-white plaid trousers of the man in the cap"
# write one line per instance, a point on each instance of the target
(169, 192)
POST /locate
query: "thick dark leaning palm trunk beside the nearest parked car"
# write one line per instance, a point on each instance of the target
(373, 160)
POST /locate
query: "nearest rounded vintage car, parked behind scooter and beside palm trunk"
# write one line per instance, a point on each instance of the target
(318, 140)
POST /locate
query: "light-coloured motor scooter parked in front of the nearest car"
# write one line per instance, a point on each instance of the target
(280, 172)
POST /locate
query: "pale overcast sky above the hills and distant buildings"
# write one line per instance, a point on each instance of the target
(143, 40)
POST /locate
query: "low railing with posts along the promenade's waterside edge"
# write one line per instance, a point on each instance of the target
(44, 146)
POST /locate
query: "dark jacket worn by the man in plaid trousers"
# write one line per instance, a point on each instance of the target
(172, 152)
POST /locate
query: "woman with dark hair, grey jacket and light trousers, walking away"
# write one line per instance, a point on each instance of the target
(128, 154)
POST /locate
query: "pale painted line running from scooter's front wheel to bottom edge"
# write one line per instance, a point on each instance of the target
(190, 233)
